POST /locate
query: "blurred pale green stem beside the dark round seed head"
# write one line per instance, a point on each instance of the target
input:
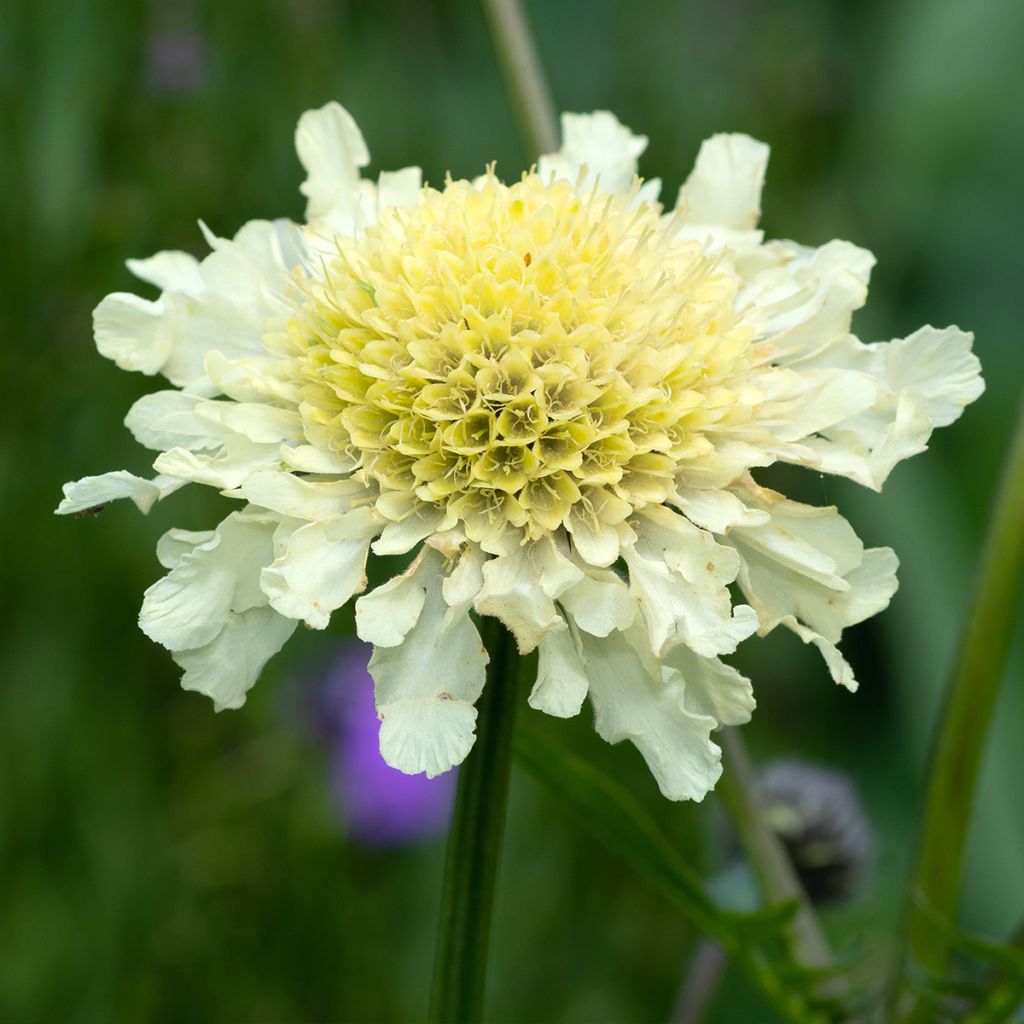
(772, 864)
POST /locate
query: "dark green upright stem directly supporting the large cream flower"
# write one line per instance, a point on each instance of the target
(475, 843)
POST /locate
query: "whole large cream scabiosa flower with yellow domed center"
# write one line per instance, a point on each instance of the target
(553, 394)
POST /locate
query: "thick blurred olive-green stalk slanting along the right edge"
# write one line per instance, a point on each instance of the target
(936, 875)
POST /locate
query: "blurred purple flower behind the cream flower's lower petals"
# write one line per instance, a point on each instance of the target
(380, 805)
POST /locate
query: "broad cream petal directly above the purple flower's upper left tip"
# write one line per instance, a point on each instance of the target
(324, 565)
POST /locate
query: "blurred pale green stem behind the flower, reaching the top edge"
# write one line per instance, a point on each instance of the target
(524, 77)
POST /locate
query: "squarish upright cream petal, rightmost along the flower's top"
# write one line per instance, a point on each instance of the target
(724, 188)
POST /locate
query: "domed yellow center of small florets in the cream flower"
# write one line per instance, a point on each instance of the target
(520, 356)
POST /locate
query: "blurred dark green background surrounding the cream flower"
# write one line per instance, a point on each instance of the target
(160, 863)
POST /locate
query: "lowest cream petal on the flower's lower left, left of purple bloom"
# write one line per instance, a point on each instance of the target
(227, 668)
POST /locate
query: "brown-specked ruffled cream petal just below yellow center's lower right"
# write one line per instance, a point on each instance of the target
(680, 576)
